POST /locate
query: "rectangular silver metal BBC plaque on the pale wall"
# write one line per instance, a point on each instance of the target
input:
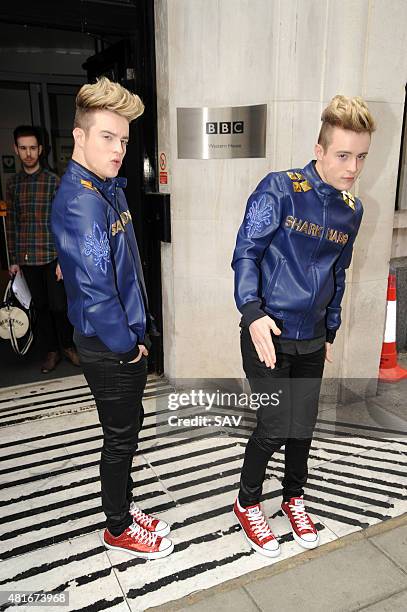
(222, 133)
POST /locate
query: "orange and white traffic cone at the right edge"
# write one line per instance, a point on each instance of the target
(390, 371)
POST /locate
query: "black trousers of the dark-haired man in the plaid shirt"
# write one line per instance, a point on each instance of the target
(53, 328)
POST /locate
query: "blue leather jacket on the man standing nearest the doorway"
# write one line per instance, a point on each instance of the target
(99, 259)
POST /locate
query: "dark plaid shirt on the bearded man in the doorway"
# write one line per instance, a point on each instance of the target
(29, 198)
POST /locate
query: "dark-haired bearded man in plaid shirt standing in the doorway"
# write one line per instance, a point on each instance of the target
(31, 249)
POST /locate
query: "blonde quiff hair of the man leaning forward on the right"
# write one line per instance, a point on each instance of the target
(346, 113)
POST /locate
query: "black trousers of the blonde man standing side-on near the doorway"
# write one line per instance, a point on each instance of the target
(118, 390)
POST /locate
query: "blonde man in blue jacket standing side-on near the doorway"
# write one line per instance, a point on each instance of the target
(107, 302)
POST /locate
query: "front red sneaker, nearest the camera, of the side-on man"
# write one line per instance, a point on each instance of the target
(139, 542)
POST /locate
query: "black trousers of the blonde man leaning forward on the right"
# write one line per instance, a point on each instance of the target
(295, 384)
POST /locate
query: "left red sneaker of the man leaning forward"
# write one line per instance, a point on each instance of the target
(257, 530)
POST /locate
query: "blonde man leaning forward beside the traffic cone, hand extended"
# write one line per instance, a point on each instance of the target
(290, 260)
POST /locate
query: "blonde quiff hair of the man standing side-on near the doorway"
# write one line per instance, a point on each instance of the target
(105, 95)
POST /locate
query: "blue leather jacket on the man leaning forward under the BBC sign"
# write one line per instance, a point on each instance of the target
(292, 250)
